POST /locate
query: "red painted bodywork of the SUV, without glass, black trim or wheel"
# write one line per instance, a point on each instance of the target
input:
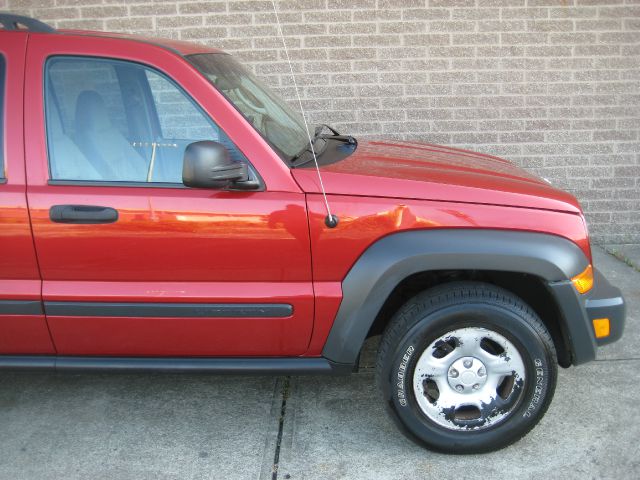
(180, 245)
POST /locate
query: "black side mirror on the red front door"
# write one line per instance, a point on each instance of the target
(207, 164)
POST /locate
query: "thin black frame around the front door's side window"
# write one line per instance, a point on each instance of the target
(115, 183)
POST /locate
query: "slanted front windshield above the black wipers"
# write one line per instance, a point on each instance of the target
(270, 115)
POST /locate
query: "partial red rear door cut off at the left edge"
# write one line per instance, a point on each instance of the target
(23, 328)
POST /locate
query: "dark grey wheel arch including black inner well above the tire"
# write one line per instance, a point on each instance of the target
(421, 258)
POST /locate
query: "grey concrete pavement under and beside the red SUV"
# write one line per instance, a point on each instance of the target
(193, 427)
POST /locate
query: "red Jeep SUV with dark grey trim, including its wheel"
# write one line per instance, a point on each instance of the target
(160, 210)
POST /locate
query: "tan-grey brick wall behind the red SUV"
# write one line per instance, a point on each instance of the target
(553, 85)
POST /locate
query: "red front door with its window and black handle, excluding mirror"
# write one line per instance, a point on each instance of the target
(133, 262)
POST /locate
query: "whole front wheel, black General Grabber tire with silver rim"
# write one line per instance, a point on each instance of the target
(466, 308)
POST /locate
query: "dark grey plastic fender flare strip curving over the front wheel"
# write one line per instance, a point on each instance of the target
(388, 261)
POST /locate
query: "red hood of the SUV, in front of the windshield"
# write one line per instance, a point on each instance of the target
(423, 171)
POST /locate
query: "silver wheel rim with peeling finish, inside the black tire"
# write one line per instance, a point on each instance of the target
(469, 378)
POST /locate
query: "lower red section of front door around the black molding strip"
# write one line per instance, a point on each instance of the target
(183, 336)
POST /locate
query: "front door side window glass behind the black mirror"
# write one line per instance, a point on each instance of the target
(116, 121)
